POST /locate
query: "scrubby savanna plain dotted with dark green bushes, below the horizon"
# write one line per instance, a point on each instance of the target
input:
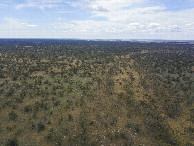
(73, 92)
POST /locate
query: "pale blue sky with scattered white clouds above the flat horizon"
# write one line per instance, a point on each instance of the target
(97, 19)
